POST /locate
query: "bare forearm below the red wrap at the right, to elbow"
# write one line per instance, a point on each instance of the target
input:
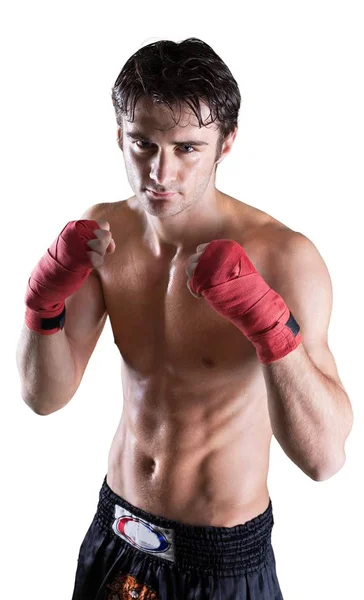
(310, 413)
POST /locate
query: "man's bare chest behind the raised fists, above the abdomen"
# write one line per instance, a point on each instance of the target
(158, 325)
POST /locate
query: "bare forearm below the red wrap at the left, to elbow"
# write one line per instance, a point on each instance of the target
(47, 370)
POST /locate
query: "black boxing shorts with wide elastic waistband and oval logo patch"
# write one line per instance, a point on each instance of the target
(129, 554)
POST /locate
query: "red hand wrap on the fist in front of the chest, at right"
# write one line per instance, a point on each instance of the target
(228, 280)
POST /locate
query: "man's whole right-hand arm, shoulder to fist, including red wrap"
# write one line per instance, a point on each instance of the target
(286, 318)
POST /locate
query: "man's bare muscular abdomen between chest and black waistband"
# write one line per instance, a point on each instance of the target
(200, 458)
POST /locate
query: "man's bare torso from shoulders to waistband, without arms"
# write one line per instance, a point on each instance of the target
(194, 436)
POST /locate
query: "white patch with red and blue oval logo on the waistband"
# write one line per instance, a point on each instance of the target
(144, 535)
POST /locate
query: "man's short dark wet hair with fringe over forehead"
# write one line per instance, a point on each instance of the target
(179, 72)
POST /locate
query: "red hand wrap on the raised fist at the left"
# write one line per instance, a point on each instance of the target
(59, 273)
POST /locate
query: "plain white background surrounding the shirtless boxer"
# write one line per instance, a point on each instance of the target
(298, 156)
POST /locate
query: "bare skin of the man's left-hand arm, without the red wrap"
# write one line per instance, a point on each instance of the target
(51, 366)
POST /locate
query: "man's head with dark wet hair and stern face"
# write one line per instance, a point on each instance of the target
(160, 82)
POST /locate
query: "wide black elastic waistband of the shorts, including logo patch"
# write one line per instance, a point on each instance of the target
(225, 550)
